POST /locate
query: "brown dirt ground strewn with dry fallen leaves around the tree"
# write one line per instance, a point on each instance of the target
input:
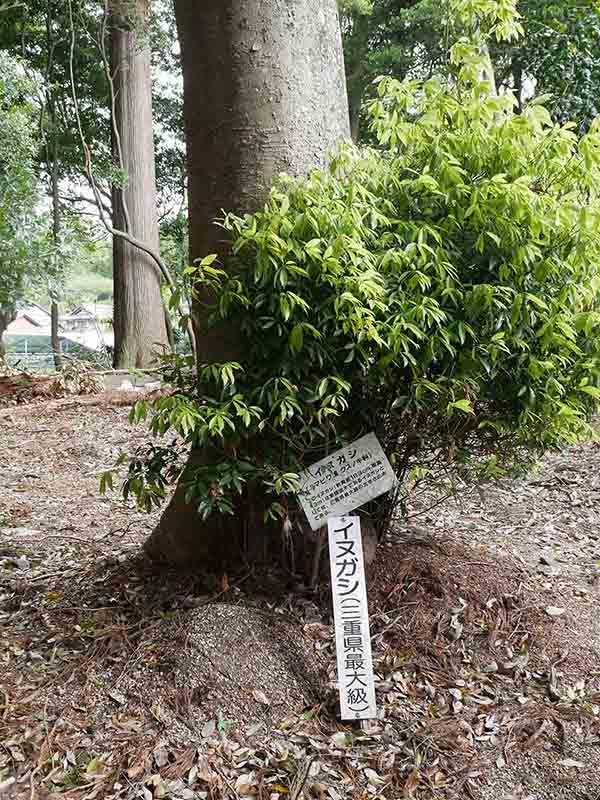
(120, 681)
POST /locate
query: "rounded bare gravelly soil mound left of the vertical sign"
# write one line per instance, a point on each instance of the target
(221, 667)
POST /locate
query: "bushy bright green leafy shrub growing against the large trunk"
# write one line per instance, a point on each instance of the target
(441, 290)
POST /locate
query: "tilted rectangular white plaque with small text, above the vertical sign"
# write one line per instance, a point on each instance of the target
(345, 480)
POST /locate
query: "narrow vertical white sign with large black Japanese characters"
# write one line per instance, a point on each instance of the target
(351, 616)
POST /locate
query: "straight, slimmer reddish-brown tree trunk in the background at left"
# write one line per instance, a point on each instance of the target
(139, 319)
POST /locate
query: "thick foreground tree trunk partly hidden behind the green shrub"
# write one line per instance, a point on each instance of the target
(264, 92)
